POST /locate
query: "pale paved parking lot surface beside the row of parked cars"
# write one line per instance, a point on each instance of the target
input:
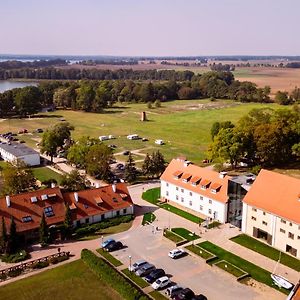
(187, 271)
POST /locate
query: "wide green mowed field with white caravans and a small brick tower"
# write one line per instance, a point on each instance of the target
(183, 125)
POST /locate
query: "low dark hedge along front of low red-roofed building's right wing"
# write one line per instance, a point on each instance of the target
(90, 229)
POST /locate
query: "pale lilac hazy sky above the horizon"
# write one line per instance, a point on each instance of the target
(150, 27)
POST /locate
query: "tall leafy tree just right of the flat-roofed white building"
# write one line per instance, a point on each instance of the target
(55, 137)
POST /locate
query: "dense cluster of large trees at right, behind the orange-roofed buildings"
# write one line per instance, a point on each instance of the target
(264, 137)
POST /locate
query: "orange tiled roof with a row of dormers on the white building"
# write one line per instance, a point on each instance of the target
(179, 166)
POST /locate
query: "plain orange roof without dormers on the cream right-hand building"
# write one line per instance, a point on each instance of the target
(277, 194)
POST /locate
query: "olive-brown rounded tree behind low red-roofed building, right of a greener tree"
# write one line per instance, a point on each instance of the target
(97, 161)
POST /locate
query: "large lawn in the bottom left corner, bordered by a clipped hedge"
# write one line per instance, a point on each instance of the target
(71, 281)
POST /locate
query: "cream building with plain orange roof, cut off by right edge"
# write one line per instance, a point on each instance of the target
(271, 211)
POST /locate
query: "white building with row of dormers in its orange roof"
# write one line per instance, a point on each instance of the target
(199, 189)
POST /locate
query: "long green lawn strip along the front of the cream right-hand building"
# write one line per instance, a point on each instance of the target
(267, 250)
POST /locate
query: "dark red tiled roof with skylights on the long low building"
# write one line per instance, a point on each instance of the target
(91, 202)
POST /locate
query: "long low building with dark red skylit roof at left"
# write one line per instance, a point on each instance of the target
(87, 206)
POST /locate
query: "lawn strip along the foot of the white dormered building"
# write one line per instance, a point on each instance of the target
(153, 195)
